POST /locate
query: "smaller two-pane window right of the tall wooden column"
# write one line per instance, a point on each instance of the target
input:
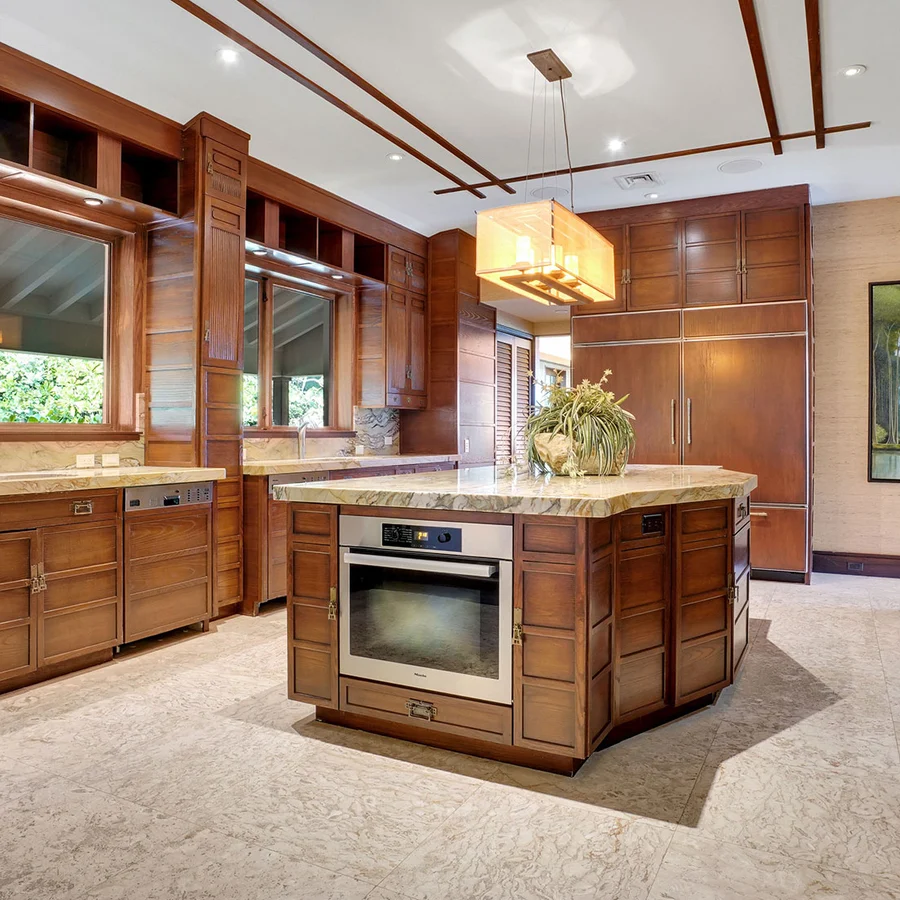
(287, 348)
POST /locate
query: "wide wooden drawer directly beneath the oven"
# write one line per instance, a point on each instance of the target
(436, 712)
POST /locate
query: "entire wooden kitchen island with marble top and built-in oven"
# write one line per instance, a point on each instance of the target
(524, 618)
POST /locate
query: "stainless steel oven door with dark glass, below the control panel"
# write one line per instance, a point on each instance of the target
(434, 623)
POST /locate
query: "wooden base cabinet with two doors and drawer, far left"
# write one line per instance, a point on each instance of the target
(60, 579)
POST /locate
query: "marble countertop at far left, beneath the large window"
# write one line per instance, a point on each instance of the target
(49, 481)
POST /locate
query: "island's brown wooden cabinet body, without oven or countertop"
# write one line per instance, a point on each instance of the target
(620, 624)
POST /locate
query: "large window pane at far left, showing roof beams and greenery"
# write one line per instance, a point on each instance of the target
(53, 290)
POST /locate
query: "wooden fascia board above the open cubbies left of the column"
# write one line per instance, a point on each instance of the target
(34, 80)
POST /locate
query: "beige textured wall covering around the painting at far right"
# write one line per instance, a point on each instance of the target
(854, 243)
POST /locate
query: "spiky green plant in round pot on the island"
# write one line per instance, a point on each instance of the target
(583, 430)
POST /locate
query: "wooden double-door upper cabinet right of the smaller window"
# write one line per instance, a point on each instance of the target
(392, 349)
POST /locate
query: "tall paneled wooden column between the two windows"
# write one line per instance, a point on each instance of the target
(194, 327)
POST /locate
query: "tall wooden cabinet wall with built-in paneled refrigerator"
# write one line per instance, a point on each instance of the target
(710, 338)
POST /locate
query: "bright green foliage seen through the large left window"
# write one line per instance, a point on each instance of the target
(38, 388)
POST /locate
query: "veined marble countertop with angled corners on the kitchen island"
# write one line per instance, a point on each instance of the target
(490, 489)
